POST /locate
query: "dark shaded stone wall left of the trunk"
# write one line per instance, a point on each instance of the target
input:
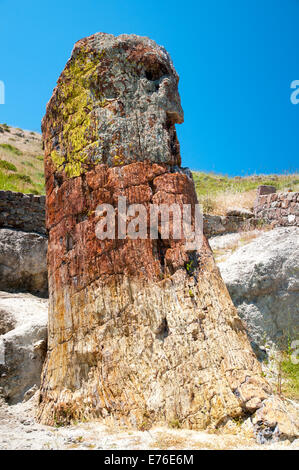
(24, 212)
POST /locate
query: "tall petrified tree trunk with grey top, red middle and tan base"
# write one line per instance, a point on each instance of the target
(139, 330)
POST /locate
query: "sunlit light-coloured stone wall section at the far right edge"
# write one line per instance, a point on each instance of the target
(280, 209)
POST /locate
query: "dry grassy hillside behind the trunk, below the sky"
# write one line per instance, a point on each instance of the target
(22, 169)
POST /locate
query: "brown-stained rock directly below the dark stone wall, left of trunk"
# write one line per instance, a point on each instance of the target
(23, 265)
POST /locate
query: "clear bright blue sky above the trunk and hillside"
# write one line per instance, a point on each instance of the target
(236, 60)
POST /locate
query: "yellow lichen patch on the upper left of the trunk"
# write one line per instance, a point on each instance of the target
(75, 111)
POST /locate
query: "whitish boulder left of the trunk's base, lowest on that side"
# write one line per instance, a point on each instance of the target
(23, 344)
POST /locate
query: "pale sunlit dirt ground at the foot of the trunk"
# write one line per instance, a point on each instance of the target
(19, 431)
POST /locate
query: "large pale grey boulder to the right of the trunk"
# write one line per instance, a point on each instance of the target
(263, 280)
